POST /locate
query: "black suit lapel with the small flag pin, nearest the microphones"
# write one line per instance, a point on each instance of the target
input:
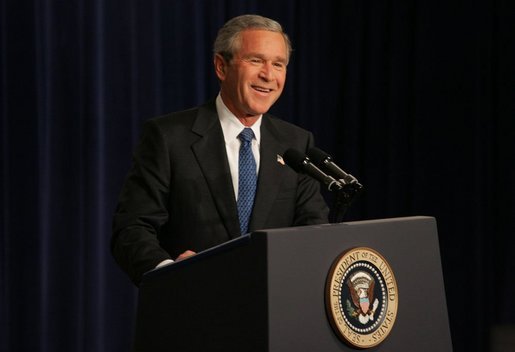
(269, 174)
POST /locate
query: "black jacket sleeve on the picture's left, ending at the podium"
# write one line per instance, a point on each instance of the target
(141, 208)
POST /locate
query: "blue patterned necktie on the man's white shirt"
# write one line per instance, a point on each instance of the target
(247, 179)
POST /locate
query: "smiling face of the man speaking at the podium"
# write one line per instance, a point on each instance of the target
(254, 79)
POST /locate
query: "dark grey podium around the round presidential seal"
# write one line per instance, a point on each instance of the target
(267, 291)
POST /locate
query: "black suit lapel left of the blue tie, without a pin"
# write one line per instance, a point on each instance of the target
(212, 158)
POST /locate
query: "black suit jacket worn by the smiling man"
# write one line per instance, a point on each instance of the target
(179, 194)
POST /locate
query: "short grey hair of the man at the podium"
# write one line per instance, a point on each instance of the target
(228, 41)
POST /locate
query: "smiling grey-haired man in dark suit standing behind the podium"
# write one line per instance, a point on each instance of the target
(187, 190)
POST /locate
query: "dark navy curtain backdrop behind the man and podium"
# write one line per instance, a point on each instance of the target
(415, 98)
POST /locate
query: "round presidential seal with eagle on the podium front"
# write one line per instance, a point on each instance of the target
(361, 297)
